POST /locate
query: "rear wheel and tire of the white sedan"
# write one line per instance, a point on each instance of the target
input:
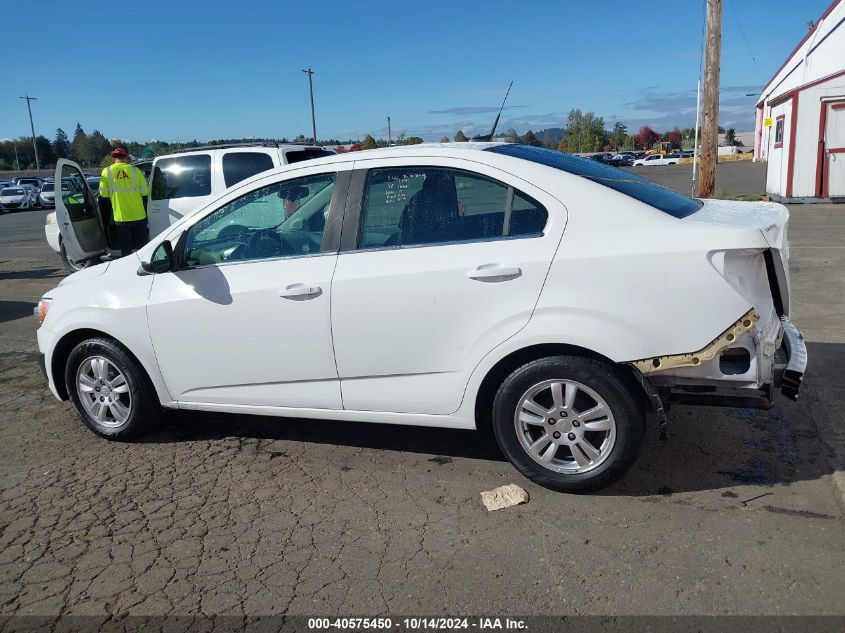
(594, 446)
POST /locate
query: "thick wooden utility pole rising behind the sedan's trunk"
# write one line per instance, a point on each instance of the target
(710, 119)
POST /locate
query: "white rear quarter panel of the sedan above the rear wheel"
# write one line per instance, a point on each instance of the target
(631, 282)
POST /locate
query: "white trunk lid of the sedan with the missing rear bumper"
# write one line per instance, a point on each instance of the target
(771, 219)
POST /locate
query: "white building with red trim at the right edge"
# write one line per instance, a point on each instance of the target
(800, 128)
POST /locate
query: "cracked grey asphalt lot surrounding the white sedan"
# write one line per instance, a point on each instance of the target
(738, 513)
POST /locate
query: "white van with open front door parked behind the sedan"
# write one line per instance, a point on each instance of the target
(180, 183)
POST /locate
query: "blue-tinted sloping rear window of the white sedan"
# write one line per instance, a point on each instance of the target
(637, 187)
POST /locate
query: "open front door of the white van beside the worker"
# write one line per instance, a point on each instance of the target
(78, 214)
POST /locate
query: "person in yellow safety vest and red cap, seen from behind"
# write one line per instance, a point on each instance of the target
(124, 188)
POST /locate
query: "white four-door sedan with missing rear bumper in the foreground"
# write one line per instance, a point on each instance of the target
(552, 298)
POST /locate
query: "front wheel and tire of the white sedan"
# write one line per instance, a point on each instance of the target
(96, 366)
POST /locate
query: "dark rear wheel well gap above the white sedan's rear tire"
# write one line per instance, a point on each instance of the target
(502, 369)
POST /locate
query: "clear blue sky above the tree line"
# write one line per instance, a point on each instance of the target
(183, 70)
